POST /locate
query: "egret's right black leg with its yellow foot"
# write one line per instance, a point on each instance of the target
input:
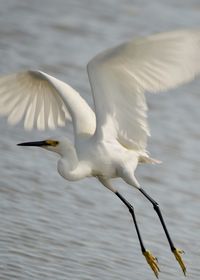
(177, 252)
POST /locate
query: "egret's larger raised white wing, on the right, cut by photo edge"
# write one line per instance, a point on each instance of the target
(120, 76)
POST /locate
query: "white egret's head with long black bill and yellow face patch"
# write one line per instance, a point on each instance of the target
(49, 144)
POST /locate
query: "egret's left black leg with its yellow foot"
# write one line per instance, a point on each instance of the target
(152, 261)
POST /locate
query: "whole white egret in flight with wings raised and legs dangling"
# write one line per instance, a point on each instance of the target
(110, 141)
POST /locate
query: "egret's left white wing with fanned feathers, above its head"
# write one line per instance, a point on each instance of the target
(43, 101)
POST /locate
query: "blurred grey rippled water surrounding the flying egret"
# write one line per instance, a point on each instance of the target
(53, 229)
